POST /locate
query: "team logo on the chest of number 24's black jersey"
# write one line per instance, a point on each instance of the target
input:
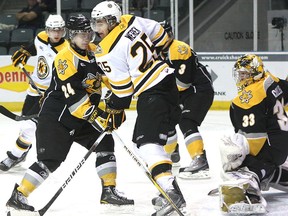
(92, 83)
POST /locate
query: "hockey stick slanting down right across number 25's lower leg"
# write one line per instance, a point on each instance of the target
(148, 174)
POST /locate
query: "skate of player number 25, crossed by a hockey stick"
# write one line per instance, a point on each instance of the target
(164, 208)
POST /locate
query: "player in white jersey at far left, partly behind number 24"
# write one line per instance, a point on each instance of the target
(45, 47)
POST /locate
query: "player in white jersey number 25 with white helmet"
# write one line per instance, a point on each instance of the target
(127, 54)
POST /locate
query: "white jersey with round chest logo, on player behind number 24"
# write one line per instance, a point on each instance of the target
(45, 54)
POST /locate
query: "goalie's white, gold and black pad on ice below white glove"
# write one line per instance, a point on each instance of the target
(241, 194)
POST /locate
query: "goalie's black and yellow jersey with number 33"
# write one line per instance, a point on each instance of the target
(258, 112)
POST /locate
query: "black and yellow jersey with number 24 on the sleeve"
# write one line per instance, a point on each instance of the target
(75, 88)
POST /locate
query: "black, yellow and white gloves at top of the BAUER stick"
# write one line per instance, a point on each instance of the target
(110, 118)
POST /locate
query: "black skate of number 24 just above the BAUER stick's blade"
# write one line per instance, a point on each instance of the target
(18, 201)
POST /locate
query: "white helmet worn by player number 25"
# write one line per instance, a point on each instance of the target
(108, 10)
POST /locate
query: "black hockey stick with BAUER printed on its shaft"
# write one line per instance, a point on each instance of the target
(64, 185)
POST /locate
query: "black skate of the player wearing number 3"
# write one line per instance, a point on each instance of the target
(198, 169)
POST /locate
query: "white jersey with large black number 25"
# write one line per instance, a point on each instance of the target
(127, 56)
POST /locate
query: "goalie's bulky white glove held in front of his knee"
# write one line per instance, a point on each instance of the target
(233, 150)
